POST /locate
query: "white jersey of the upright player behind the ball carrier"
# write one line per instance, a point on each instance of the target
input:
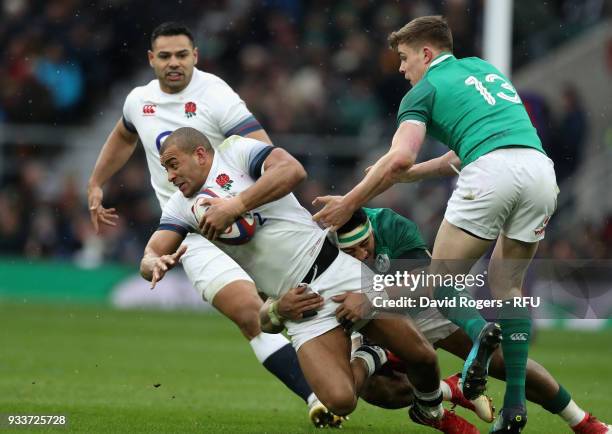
(207, 104)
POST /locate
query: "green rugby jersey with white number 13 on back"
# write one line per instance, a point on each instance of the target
(470, 106)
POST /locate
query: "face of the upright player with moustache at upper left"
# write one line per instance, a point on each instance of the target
(173, 59)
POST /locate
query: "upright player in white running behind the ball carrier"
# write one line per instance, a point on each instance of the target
(183, 96)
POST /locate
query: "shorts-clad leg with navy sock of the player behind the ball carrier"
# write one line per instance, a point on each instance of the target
(223, 283)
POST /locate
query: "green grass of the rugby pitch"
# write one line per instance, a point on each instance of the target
(99, 367)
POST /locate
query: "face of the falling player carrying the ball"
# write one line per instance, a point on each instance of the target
(187, 172)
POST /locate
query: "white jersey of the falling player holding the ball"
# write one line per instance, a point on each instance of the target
(286, 240)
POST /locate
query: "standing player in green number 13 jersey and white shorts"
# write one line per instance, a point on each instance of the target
(505, 195)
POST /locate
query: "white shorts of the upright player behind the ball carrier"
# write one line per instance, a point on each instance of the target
(208, 268)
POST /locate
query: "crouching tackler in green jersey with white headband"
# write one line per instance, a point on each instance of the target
(379, 236)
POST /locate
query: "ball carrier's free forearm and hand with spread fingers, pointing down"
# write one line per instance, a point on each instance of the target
(161, 255)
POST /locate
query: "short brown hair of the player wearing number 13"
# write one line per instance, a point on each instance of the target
(432, 29)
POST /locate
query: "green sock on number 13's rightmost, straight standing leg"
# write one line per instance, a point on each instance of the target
(516, 332)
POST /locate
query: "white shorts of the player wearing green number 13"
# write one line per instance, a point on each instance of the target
(512, 191)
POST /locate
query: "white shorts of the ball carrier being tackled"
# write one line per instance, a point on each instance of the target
(343, 275)
